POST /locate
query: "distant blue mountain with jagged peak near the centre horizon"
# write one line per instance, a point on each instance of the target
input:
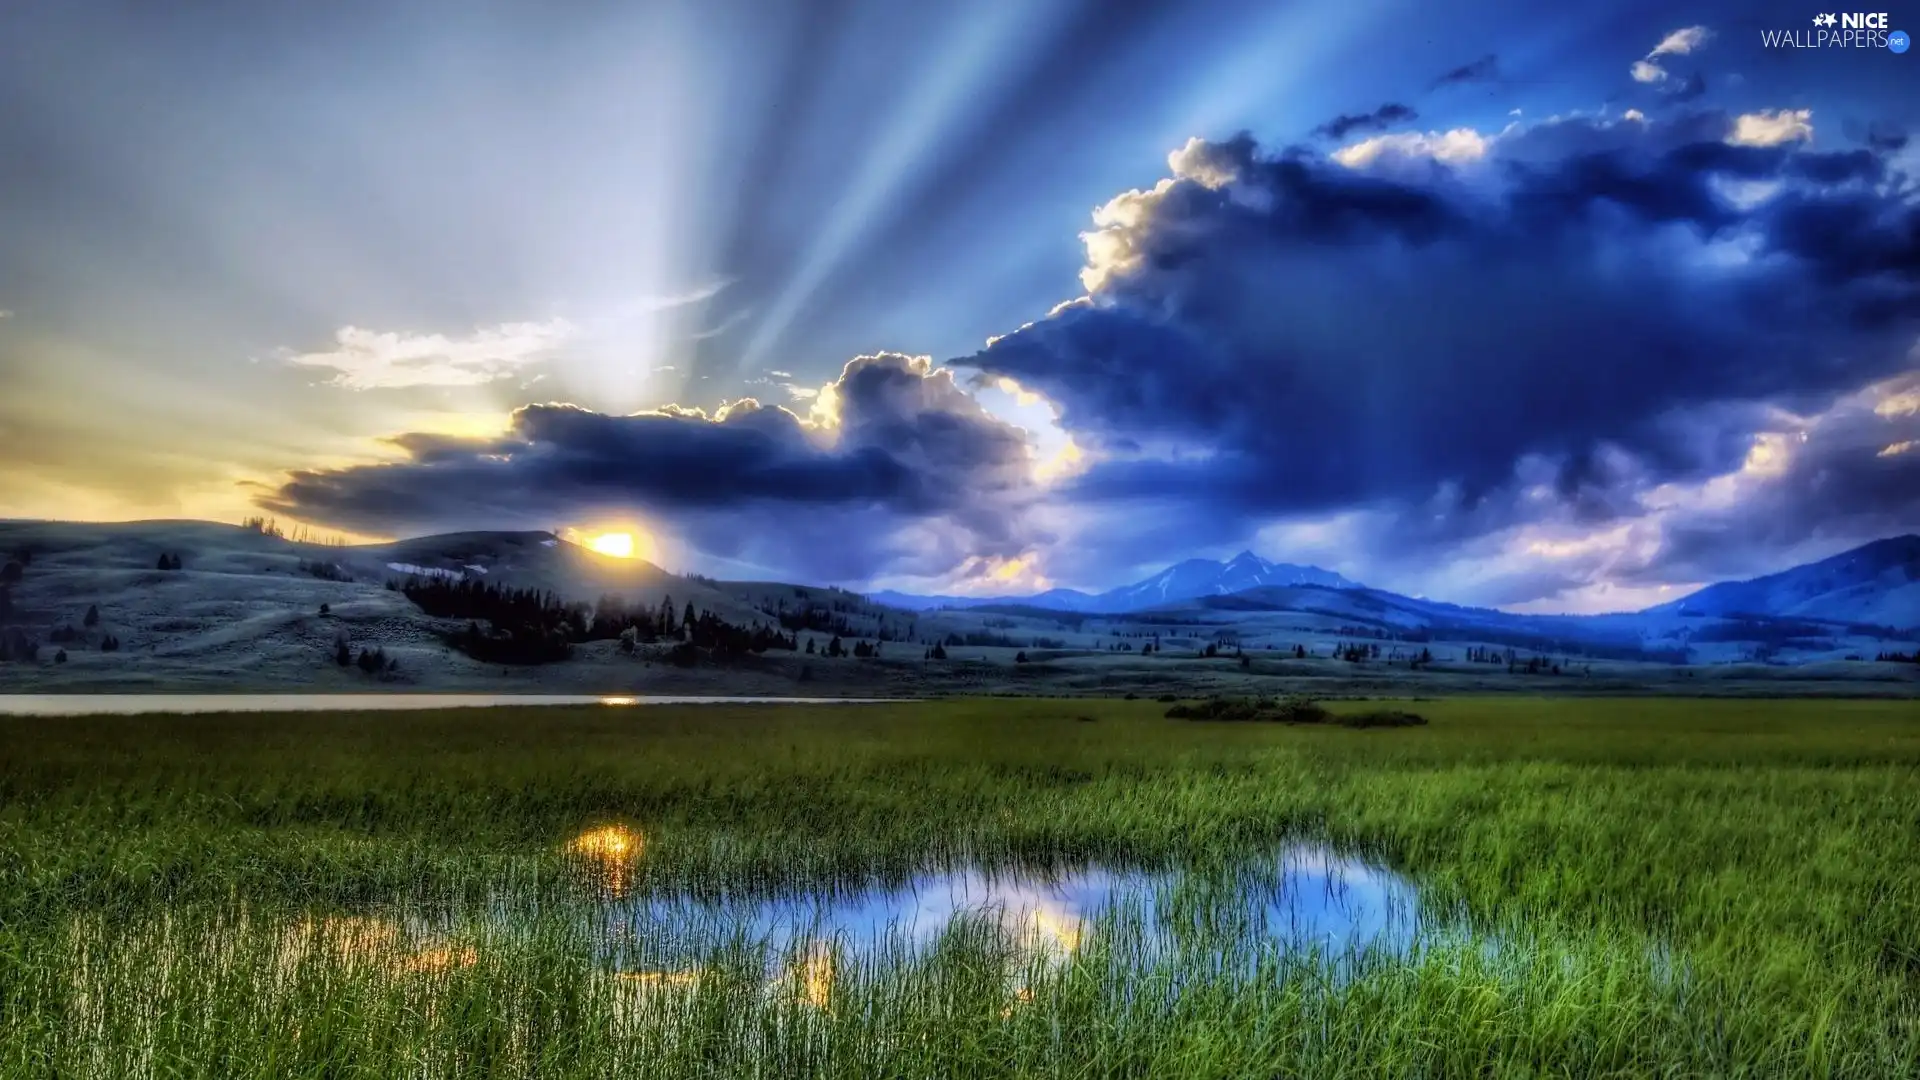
(1182, 581)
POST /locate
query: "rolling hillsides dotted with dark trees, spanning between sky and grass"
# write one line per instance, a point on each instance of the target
(249, 610)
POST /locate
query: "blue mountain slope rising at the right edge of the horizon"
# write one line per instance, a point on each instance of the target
(1873, 585)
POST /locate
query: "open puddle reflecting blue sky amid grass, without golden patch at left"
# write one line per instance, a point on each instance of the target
(1301, 900)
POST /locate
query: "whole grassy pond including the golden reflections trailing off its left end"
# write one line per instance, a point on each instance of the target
(1301, 904)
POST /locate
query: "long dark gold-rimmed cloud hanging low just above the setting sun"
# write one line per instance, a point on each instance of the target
(746, 483)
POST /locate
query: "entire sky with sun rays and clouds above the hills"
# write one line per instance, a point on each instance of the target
(1558, 310)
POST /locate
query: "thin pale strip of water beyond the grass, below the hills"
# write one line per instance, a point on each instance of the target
(130, 704)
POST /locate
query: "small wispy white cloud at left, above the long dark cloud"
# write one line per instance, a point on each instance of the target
(372, 360)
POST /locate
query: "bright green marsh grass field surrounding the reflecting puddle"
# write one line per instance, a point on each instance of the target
(216, 896)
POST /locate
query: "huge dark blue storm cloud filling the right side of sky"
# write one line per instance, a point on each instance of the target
(1318, 337)
